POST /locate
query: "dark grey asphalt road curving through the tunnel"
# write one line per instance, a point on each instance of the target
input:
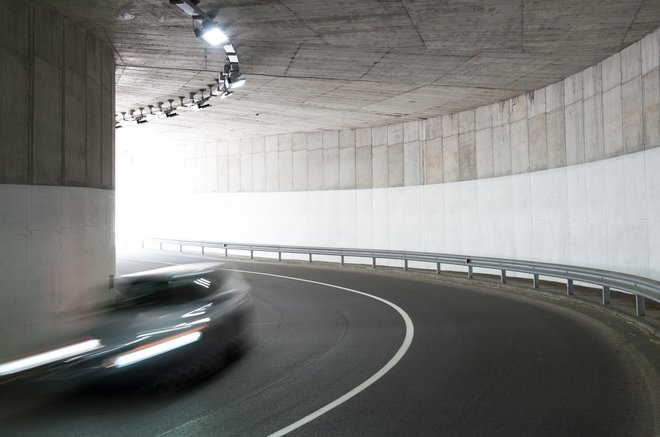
(480, 363)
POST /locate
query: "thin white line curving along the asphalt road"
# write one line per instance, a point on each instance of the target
(407, 340)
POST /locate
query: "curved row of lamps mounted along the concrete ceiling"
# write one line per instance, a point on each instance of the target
(204, 27)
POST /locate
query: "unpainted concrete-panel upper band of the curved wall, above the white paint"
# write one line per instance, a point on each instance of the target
(607, 110)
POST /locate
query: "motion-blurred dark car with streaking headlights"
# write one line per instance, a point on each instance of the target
(170, 326)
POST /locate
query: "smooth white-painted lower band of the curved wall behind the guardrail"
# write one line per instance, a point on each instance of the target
(602, 214)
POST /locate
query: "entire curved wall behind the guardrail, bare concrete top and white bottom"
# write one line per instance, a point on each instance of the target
(569, 173)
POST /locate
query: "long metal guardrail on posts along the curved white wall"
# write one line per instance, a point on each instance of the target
(642, 288)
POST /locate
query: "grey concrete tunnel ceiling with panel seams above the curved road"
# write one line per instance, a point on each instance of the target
(317, 64)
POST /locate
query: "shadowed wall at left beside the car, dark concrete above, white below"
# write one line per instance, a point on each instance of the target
(56, 169)
